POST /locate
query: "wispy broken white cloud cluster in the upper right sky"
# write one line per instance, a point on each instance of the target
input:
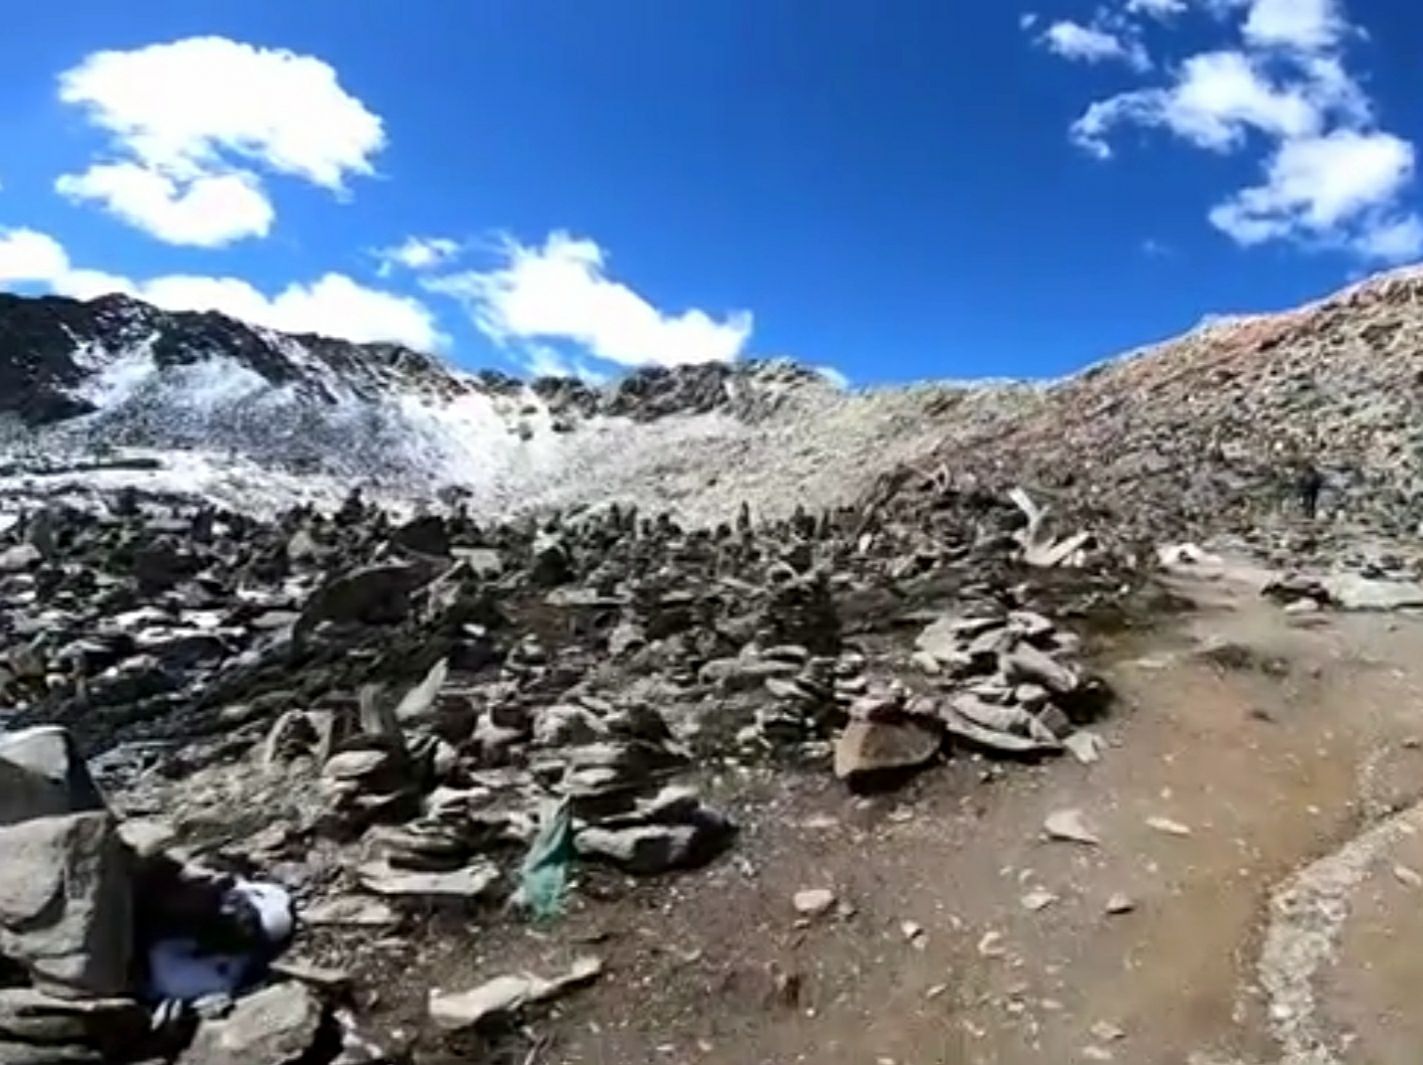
(1331, 177)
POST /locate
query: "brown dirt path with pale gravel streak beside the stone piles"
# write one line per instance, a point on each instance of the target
(1283, 929)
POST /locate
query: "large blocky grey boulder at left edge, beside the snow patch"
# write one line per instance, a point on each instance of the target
(66, 903)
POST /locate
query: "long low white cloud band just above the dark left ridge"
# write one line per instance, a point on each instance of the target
(332, 305)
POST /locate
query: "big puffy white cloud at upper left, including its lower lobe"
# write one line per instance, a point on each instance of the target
(193, 122)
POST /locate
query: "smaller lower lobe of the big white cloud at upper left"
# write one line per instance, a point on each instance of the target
(207, 211)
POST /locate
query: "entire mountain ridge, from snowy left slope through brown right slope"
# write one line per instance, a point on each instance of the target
(1206, 434)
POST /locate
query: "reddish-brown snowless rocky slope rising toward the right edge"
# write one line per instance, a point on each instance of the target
(1213, 435)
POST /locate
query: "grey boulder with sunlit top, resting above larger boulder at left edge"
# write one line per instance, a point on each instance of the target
(43, 775)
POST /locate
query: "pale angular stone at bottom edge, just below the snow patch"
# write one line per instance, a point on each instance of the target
(277, 1026)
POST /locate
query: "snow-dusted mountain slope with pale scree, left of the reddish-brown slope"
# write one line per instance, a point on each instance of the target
(115, 392)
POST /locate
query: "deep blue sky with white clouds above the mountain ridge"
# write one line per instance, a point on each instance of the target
(894, 190)
